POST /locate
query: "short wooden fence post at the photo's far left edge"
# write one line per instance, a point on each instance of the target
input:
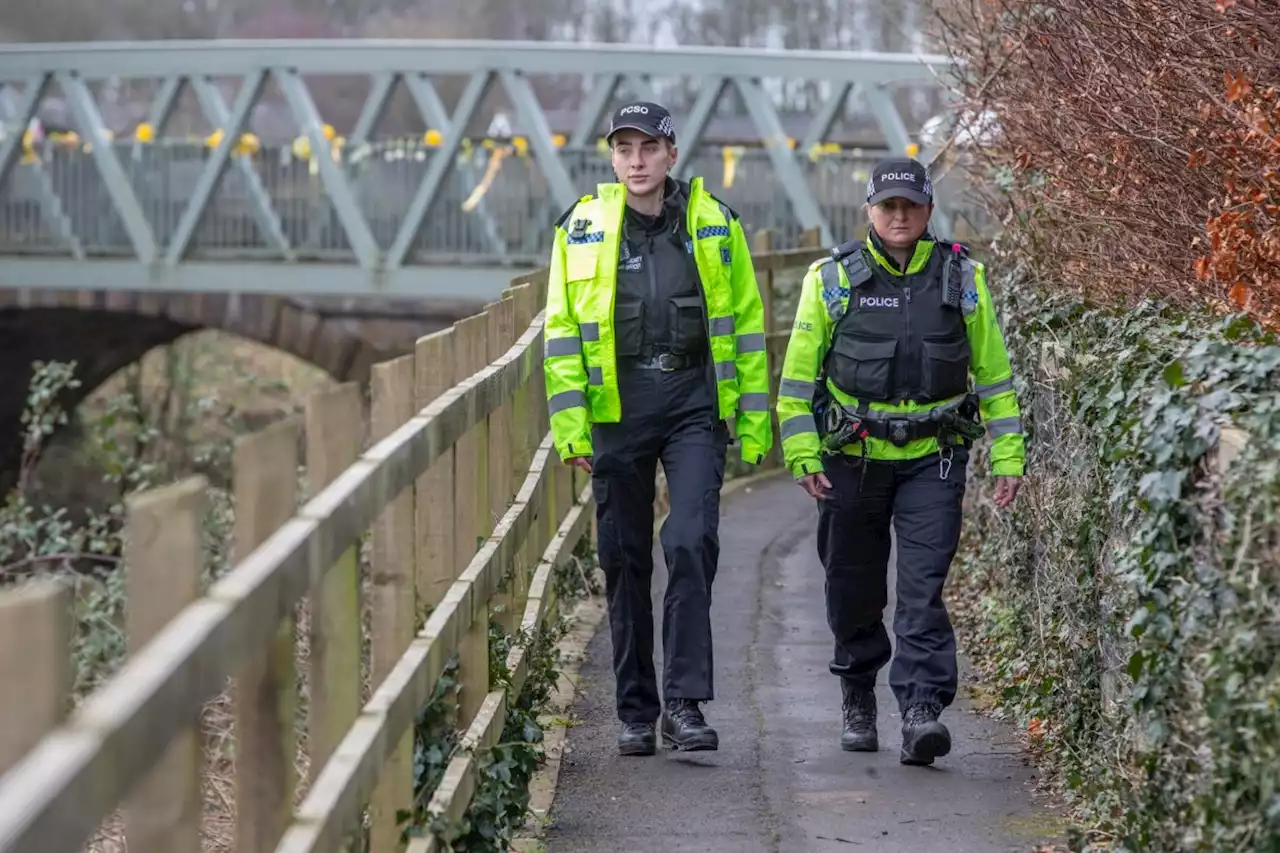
(35, 665)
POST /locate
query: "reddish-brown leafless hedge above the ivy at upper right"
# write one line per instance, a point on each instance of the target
(1140, 140)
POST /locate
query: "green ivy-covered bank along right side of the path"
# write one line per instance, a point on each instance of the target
(1126, 610)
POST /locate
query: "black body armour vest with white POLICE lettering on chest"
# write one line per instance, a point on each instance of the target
(900, 339)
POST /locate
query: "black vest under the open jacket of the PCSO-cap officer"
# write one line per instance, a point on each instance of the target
(659, 305)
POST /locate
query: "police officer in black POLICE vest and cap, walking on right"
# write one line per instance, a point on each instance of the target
(877, 416)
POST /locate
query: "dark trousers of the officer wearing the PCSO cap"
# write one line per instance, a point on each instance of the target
(670, 417)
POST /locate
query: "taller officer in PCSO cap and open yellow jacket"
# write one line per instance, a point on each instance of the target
(656, 339)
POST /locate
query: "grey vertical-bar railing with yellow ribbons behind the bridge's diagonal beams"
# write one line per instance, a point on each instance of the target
(491, 207)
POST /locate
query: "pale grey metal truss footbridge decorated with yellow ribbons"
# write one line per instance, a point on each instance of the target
(408, 168)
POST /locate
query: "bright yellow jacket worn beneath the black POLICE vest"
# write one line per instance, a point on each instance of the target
(816, 320)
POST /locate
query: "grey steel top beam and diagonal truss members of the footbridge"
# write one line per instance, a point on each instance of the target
(164, 261)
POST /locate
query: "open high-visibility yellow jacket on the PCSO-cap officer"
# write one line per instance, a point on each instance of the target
(580, 363)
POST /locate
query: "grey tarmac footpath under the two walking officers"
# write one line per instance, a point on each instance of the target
(780, 782)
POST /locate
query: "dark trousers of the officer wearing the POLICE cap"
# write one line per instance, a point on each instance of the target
(925, 510)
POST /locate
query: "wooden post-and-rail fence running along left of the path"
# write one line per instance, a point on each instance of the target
(468, 513)
